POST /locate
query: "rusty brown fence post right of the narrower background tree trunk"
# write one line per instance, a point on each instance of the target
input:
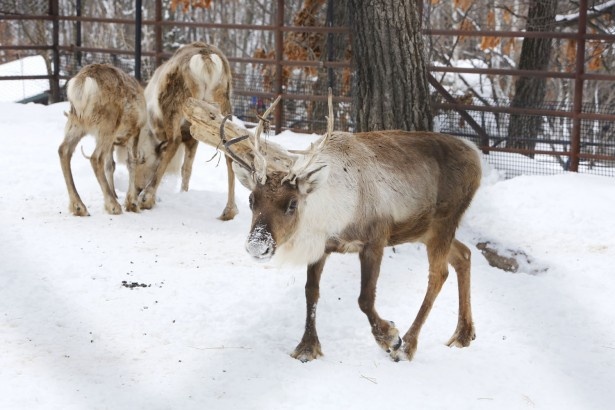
(577, 108)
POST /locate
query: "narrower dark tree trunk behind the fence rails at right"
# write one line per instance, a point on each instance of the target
(530, 91)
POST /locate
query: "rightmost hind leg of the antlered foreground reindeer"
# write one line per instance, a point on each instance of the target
(459, 258)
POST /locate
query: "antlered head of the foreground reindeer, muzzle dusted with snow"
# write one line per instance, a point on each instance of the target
(278, 197)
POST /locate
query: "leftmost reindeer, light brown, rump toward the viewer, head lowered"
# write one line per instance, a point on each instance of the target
(108, 104)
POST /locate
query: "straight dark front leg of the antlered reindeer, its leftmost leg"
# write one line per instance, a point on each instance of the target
(309, 347)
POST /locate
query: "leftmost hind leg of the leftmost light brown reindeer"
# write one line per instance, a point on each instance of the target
(73, 135)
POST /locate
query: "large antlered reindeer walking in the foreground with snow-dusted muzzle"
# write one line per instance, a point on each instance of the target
(360, 193)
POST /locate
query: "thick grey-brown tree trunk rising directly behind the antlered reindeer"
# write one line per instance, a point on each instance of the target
(390, 86)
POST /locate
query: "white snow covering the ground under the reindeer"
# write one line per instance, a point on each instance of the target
(212, 329)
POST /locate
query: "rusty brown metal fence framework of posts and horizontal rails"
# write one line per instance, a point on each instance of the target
(579, 76)
